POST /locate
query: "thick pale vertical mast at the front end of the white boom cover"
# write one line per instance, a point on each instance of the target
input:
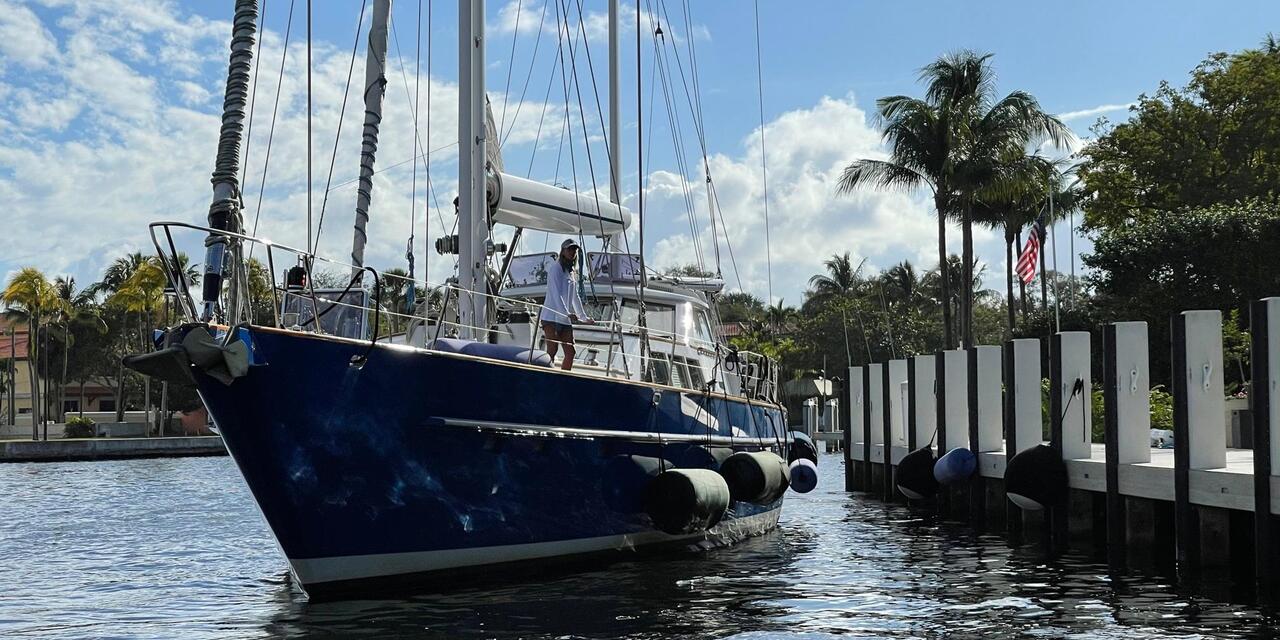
(473, 207)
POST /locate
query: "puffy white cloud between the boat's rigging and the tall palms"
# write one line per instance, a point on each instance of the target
(808, 222)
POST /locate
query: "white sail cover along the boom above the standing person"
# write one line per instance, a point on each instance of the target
(534, 205)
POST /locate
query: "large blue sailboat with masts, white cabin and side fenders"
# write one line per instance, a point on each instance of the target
(454, 449)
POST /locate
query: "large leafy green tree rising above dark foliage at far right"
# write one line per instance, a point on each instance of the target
(1214, 141)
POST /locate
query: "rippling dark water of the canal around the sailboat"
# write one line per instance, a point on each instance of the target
(175, 548)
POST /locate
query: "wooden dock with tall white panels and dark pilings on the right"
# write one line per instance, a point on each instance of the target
(1192, 509)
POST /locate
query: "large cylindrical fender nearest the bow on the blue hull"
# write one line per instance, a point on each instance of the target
(687, 501)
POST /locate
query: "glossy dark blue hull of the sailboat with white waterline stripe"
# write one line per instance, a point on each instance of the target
(420, 463)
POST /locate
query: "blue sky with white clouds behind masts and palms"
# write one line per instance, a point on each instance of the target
(111, 109)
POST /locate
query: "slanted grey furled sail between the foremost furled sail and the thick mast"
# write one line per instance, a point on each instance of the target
(376, 88)
